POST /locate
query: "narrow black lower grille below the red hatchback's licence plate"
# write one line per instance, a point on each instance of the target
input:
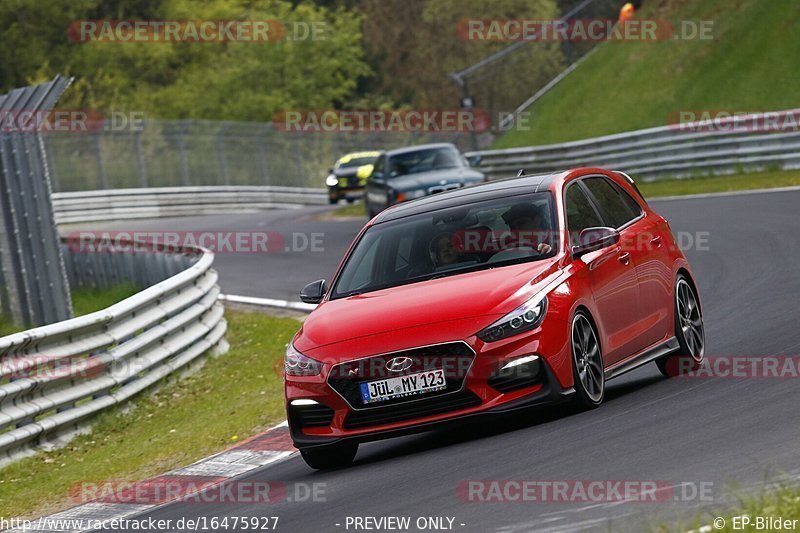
(413, 409)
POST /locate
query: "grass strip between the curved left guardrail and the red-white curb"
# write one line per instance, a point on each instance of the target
(233, 397)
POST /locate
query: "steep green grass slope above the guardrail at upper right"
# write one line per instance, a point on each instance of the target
(631, 85)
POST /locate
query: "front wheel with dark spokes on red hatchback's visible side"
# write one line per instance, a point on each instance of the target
(588, 369)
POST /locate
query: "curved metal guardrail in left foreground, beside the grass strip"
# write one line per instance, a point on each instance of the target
(53, 378)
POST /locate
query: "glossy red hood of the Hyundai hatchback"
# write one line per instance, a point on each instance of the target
(487, 293)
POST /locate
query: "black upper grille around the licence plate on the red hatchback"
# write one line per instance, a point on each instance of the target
(454, 358)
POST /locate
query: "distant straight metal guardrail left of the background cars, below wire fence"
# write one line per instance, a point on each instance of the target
(119, 204)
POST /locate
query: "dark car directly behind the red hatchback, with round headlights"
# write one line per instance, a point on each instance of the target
(416, 171)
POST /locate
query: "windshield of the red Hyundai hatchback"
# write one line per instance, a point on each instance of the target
(450, 241)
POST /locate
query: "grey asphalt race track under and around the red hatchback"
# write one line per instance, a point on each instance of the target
(736, 434)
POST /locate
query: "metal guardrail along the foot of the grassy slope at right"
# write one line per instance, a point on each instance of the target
(680, 150)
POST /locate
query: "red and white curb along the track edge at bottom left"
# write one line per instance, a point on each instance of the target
(269, 447)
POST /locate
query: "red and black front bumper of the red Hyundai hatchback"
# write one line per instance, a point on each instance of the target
(335, 421)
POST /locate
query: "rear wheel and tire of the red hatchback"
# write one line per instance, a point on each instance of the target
(689, 331)
